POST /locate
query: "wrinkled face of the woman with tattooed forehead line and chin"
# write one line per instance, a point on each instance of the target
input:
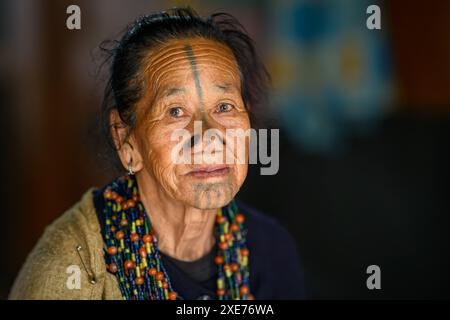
(192, 83)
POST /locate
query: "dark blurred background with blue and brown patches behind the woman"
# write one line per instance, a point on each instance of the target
(364, 118)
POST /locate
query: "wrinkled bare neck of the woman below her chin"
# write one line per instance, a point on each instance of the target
(183, 232)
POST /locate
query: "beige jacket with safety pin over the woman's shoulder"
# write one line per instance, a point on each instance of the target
(71, 248)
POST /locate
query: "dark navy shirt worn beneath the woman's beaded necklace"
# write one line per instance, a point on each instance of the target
(275, 271)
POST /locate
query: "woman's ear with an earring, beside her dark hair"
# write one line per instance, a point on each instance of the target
(126, 144)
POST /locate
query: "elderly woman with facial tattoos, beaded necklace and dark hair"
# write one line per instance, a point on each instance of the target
(169, 229)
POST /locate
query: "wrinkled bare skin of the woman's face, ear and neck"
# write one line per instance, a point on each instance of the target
(185, 80)
